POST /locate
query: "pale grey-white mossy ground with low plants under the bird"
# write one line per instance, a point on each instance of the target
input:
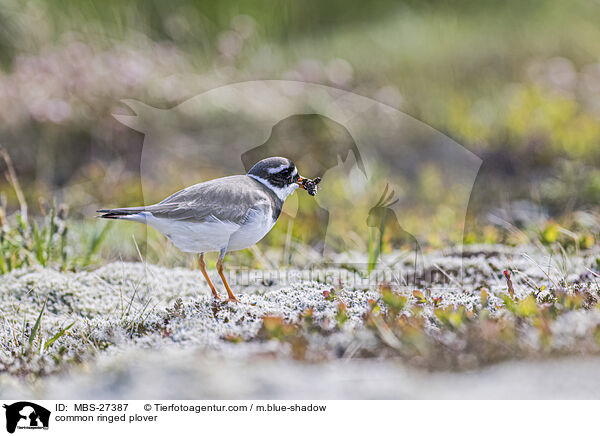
(134, 330)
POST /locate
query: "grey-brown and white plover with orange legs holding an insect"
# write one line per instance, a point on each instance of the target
(225, 214)
